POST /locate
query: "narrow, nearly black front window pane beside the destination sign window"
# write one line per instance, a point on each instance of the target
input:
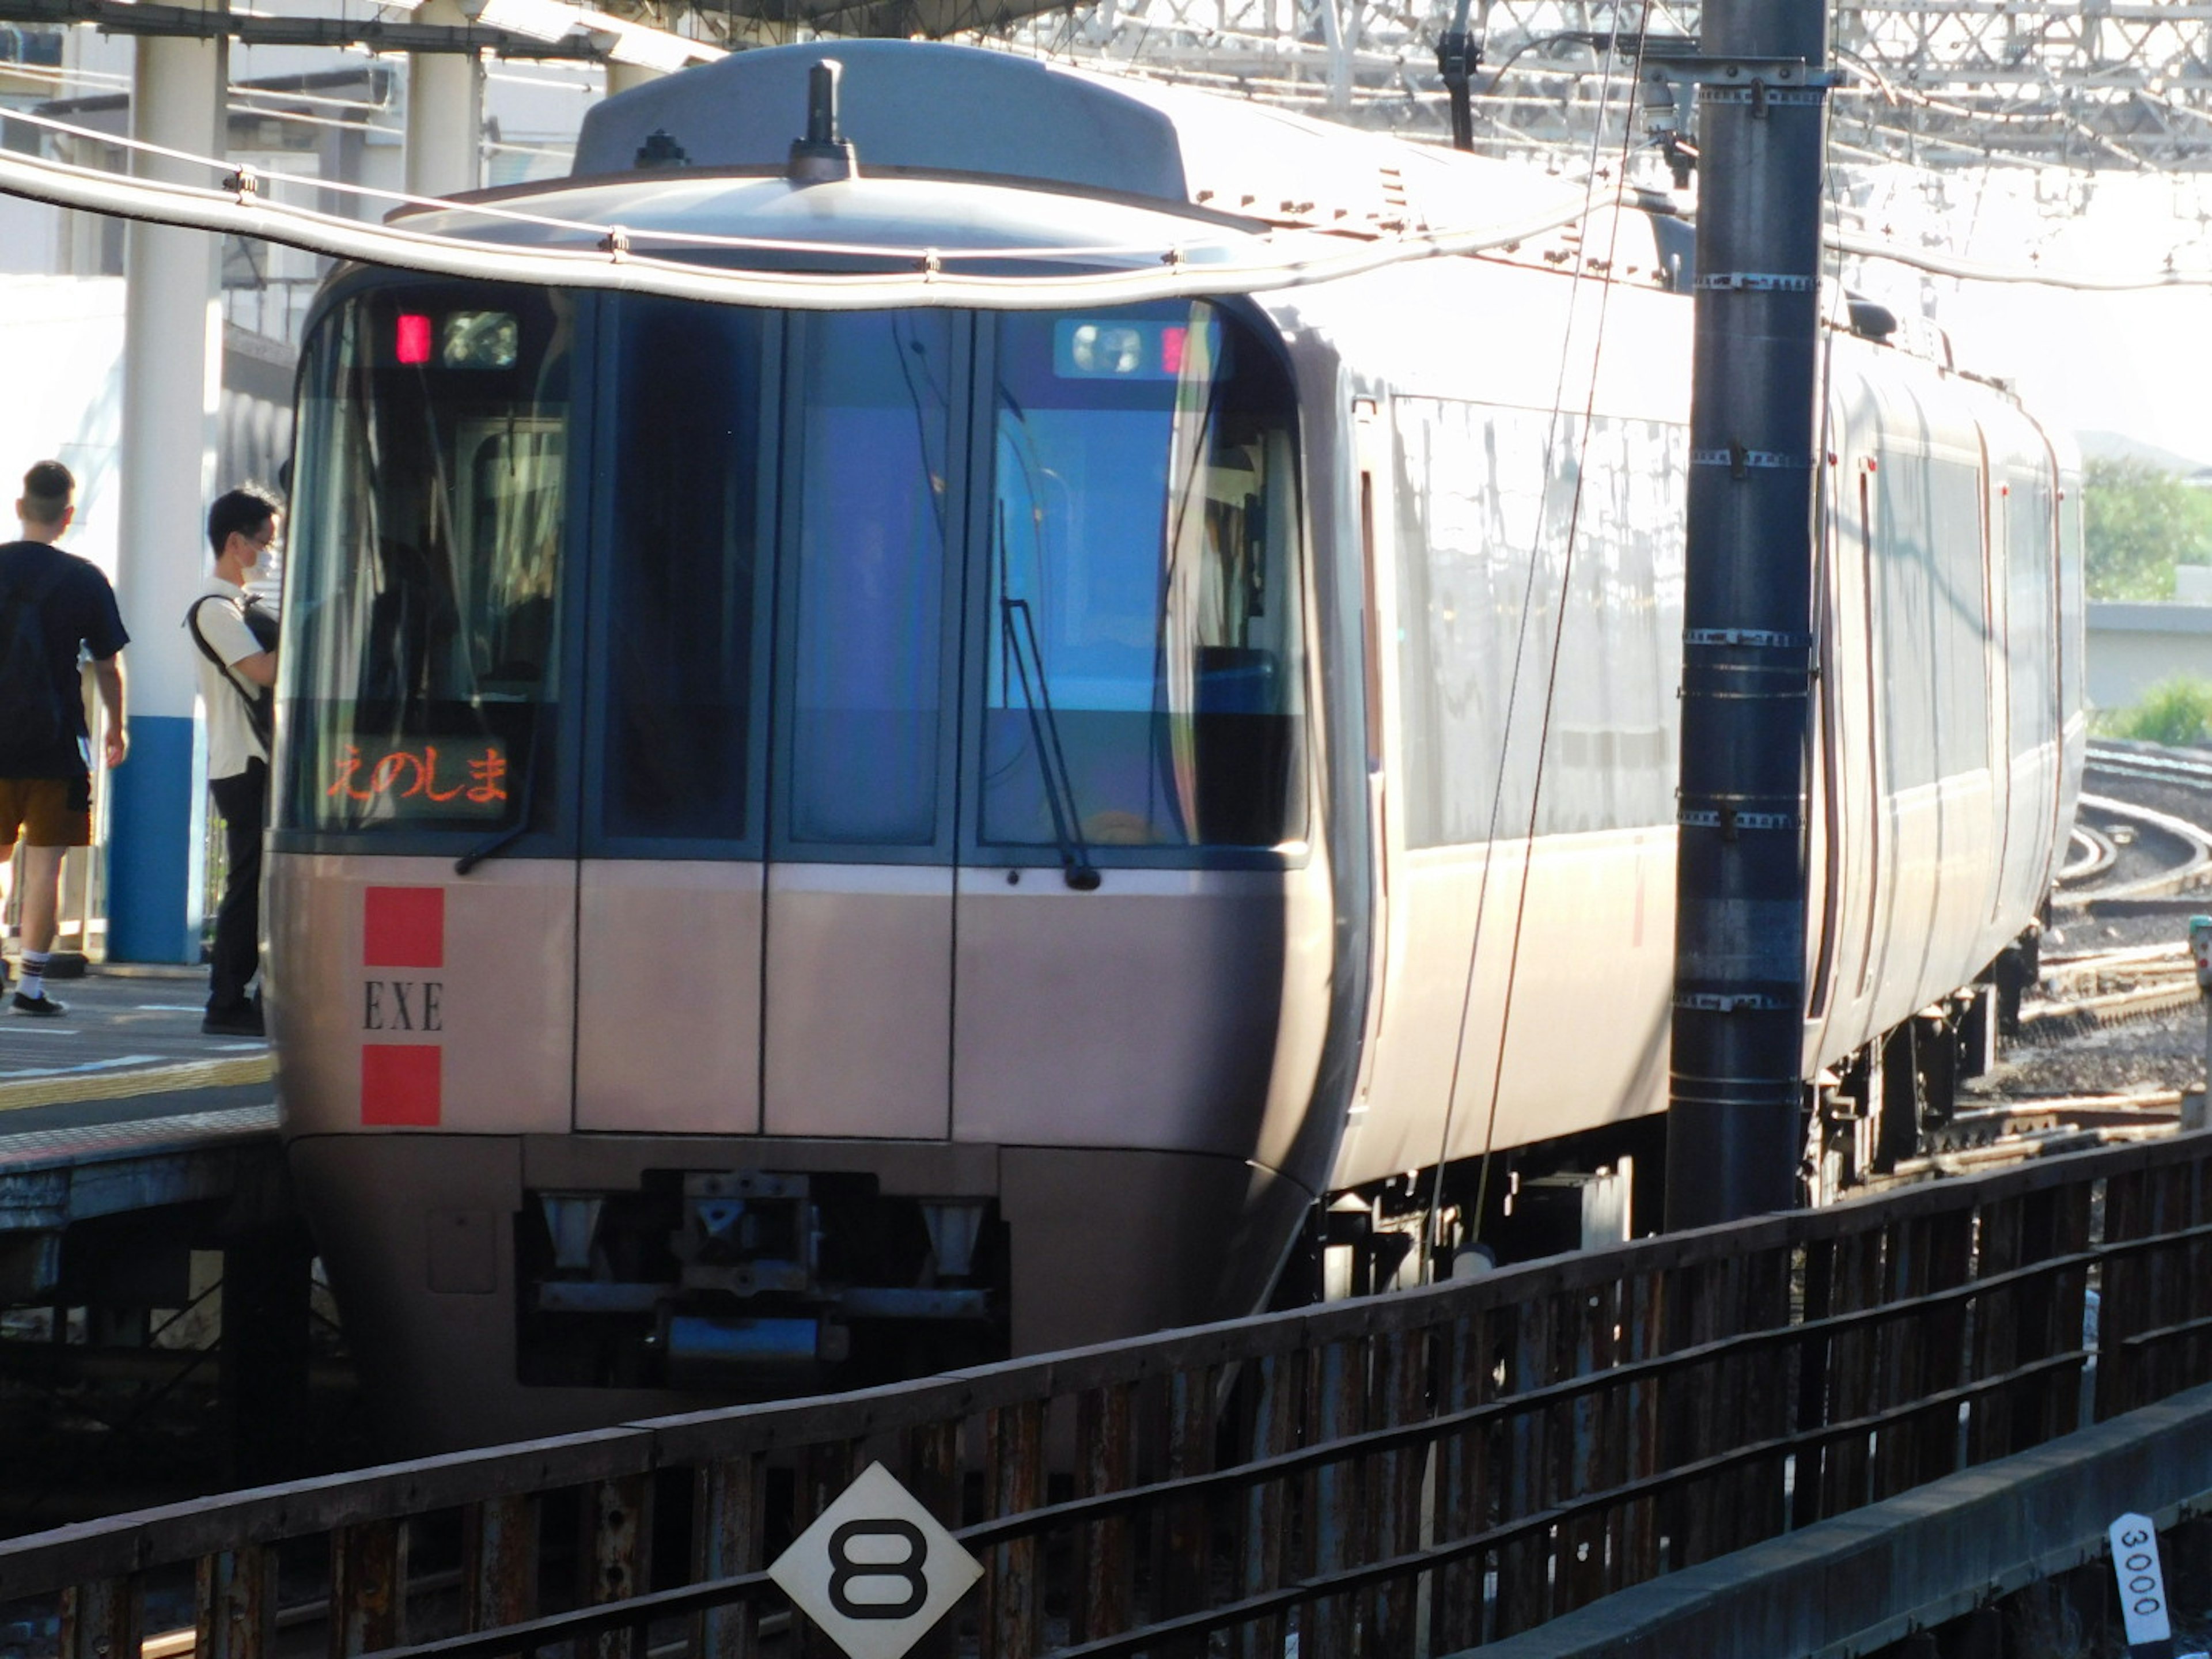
(682, 585)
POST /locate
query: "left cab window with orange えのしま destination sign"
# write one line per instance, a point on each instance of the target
(424, 607)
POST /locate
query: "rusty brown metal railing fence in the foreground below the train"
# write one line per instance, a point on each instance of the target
(1410, 1474)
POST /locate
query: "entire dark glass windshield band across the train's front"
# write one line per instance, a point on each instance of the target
(826, 576)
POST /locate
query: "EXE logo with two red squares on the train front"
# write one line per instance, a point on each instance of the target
(404, 1083)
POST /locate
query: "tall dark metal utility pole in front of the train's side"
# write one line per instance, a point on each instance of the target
(1735, 1125)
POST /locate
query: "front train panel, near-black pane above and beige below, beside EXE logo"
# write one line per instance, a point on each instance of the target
(671, 888)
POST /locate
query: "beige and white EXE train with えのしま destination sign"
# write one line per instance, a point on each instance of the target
(817, 846)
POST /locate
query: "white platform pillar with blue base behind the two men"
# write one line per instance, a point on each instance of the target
(174, 377)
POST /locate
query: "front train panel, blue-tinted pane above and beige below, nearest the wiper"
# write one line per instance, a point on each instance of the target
(859, 893)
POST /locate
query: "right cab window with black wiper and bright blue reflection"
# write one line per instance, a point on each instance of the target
(1145, 612)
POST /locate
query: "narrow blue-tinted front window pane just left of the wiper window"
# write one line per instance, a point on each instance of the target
(868, 607)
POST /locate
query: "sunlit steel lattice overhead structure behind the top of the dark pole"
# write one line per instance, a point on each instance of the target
(1928, 83)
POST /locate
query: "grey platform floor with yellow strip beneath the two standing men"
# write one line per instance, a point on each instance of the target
(129, 1050)
